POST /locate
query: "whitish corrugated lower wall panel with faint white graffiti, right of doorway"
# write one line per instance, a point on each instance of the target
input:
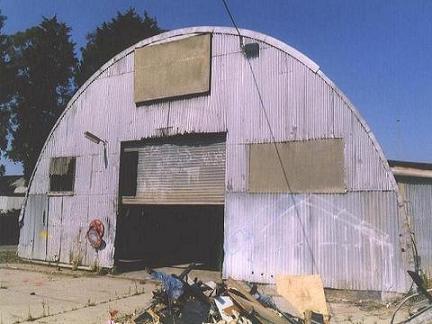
(349, 239)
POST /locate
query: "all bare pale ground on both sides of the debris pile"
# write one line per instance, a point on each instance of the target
(42, 294)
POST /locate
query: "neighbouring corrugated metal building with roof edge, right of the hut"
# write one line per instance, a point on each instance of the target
(415, 185)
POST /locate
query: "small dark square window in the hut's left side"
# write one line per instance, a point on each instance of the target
(62, 174)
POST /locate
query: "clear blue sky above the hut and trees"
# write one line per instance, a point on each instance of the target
(378, 52)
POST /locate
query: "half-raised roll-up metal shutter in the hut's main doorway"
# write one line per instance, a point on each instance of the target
(182, 171)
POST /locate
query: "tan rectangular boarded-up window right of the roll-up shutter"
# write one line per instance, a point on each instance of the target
(311, 166)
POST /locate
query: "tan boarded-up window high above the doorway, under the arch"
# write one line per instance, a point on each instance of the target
(173, 69)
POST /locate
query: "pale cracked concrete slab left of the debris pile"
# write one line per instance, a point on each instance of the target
(28, 295)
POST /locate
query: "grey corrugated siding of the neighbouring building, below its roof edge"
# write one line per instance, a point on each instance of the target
(417, 197)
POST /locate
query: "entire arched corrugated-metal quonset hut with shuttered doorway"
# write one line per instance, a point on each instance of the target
(203, 145)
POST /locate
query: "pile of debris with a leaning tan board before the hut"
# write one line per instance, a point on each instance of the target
(182, 300)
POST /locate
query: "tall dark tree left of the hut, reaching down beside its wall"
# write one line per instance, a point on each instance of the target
(43, 63)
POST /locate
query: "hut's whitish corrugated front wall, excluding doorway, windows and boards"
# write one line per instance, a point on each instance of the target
(351, 239)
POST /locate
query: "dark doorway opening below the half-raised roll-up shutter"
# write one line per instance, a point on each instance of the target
(169, 235)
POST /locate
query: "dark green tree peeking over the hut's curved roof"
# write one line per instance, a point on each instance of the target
(111, 38)
